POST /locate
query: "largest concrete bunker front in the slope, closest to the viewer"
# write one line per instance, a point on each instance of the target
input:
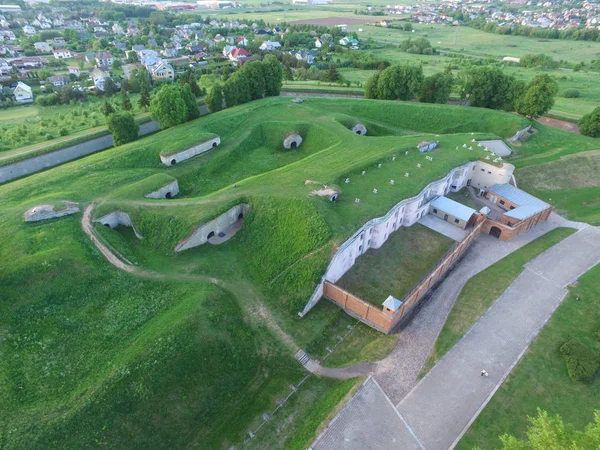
(216, 231)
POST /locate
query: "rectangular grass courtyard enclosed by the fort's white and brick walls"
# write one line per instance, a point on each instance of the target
(397, 266)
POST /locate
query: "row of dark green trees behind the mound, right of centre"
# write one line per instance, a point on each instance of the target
(485, 87)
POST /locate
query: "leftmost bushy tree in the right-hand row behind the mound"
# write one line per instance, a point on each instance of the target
(400, 82)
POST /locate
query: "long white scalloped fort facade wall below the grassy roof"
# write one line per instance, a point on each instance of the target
(376, 231)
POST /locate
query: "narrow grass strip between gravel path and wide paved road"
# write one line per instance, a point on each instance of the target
(479, 294)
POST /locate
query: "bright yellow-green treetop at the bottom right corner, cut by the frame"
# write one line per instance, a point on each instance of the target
(550, 433)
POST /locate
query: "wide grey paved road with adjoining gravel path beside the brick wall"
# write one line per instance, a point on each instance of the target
(439, 409)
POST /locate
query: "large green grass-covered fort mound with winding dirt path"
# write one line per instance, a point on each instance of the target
(190, 349)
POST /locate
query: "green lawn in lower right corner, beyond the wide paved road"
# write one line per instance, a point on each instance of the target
(540, 380)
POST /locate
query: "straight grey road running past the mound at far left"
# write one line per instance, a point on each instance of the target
(57, 157)
